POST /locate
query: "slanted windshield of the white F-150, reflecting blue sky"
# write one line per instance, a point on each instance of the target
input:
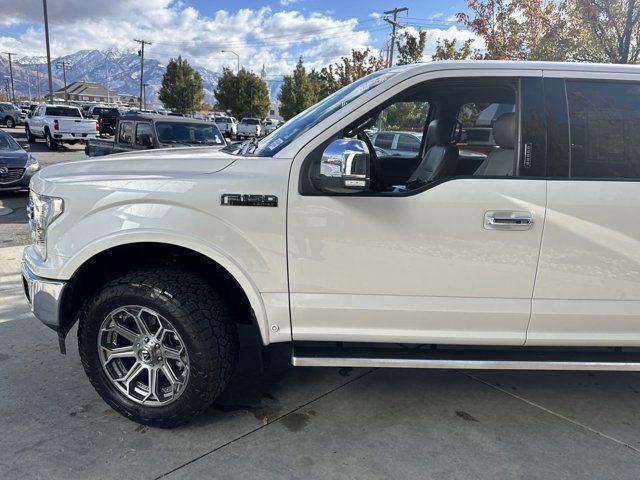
(292, 129)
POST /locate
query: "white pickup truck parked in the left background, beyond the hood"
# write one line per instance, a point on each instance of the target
(58, 124)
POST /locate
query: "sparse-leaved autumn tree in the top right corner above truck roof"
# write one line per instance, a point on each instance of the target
(608, 30)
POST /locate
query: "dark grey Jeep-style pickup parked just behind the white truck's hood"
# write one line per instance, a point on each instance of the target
(142, 132)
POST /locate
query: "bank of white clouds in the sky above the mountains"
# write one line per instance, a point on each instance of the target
(259, 36)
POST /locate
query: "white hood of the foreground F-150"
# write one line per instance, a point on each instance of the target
(151, 164)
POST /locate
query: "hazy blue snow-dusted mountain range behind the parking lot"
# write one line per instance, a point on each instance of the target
(115, 69)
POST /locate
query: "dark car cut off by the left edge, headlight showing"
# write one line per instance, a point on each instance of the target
(17, 165)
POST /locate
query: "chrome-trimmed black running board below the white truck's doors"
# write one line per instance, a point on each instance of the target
(482, 359)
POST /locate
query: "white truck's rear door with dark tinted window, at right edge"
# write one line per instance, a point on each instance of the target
(588, 287)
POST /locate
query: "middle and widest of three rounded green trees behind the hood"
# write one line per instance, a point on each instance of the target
(245, 94)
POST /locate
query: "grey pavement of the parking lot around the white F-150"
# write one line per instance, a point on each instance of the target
(304, 423)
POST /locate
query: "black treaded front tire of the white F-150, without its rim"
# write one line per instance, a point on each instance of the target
(196, 312)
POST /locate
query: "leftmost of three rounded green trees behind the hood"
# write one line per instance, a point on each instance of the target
(181, 88)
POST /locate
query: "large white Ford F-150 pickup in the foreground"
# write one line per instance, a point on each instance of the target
(524, 257)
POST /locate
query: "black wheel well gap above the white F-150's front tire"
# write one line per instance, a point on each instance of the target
(117, 261)
